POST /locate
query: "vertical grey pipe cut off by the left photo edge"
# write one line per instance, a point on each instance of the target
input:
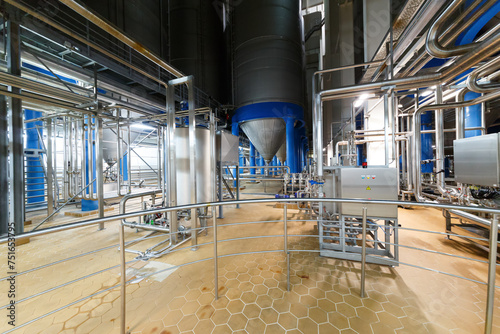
(4, 165)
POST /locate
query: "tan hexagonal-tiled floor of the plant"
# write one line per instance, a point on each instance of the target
(324, 296)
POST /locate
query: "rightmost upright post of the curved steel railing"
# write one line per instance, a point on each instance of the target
(492, 266)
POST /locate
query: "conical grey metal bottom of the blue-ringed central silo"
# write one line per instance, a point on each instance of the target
(267, 134)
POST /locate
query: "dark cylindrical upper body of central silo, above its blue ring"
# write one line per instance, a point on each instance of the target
(268, 52)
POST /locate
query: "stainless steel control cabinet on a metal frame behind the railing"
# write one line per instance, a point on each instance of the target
(377, 183)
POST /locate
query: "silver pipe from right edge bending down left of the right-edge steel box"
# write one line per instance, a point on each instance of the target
(416, 135)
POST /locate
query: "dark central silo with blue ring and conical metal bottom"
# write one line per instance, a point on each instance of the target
(268, 72)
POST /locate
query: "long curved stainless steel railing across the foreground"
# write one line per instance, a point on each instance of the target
(493, 242)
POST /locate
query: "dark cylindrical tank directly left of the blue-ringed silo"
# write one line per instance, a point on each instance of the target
(197, 44)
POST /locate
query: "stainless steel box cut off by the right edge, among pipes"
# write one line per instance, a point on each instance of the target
(477, 160)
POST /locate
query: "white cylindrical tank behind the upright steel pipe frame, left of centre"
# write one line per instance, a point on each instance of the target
(204, 189)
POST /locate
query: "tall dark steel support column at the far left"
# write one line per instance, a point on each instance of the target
(16, 146)
